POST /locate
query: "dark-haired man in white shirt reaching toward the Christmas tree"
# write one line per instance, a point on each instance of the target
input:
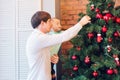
(39, 44)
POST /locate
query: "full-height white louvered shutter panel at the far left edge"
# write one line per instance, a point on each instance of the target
(7, 40)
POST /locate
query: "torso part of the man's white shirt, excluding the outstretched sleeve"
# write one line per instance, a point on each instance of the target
(39, 59)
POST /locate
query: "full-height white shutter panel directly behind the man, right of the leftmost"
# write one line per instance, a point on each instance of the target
(25, 10)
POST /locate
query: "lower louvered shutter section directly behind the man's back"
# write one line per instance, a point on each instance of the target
(23, 63)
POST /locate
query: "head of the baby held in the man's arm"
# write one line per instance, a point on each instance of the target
(56, 26)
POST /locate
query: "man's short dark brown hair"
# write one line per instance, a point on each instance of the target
(38, 17)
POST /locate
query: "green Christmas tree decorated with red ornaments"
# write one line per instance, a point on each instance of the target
(96, 49)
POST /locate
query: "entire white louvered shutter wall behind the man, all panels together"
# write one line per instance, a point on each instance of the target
(15, 27)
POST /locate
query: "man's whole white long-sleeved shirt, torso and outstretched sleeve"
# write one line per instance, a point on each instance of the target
(38, 51)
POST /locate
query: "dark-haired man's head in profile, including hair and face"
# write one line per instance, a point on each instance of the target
(42, 21)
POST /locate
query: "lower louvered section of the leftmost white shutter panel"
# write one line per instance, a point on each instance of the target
(7, 55)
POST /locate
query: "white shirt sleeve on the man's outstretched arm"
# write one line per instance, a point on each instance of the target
(48, 40)
